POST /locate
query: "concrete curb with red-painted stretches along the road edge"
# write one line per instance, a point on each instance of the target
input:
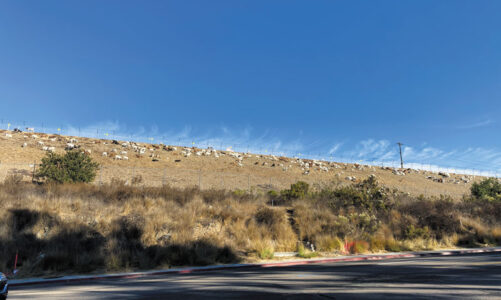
(70, 279)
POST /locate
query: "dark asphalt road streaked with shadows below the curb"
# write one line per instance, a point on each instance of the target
(468, 277)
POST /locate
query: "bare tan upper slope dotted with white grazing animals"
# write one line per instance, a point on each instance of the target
(157, 164)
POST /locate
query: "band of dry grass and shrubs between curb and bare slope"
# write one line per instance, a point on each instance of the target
(82, 228)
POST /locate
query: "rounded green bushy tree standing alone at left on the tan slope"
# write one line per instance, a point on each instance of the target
(71, 167)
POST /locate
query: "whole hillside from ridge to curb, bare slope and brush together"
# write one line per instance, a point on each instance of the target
(86, 228)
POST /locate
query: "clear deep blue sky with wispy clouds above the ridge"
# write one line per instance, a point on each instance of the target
(346, 79)
